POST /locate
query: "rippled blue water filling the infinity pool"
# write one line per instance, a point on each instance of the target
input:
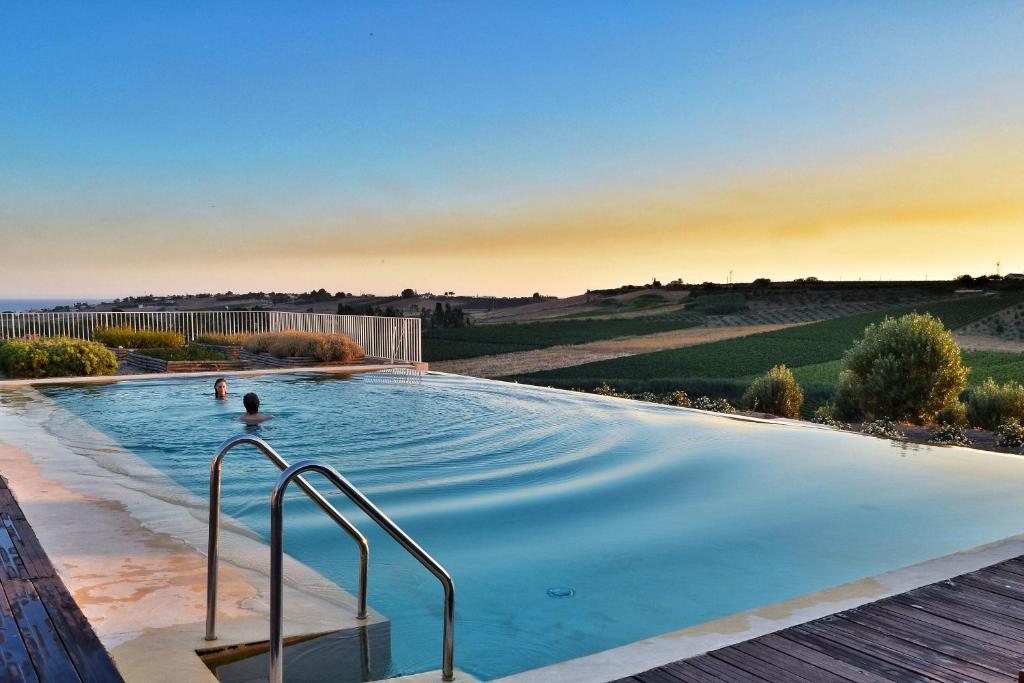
(571, 524)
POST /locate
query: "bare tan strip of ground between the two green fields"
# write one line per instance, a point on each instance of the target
(567, 356)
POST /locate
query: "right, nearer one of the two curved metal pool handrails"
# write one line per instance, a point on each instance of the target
(372, 511)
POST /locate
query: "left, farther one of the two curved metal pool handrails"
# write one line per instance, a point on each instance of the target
(215, 533)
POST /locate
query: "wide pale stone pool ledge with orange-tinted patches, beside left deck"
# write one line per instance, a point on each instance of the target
(130, 543)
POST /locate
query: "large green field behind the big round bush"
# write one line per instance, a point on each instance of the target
(813, 351)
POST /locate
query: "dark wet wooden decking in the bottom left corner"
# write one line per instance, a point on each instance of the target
(44, 635)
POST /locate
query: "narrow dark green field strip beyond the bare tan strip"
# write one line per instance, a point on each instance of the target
(452, 344)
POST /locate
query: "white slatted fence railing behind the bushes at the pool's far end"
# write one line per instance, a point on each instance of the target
(387, 338)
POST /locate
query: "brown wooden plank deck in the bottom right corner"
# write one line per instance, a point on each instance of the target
(970, 628)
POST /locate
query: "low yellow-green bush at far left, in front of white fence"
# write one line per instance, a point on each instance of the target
(61, 357)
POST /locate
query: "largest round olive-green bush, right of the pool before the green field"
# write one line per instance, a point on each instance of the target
(907, 368)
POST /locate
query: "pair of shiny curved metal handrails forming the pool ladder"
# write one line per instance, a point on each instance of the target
(288, 474)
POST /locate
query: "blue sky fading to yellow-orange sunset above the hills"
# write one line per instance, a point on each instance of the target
(505, 148)
